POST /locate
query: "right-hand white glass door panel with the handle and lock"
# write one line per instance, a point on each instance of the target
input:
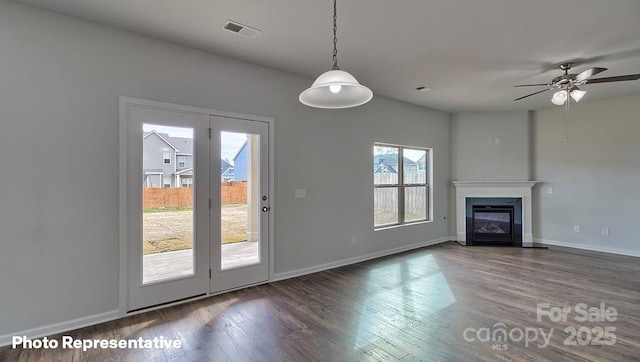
(245, 262)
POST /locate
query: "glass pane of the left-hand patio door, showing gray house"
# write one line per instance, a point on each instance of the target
(167, 198)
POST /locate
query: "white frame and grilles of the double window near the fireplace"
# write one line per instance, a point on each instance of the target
(401, 186)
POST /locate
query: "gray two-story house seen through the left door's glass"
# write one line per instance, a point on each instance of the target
(167, 161)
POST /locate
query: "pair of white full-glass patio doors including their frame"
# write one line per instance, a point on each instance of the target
(197, 200)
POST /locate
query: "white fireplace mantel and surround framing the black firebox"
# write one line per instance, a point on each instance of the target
(488, 190)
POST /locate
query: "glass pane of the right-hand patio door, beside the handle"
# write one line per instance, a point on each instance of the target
(239, 199)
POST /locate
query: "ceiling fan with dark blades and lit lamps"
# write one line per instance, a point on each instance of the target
(567, 84)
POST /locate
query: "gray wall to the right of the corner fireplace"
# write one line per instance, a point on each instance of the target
(594, 175)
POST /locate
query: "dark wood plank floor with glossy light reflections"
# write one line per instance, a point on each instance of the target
(410, 306)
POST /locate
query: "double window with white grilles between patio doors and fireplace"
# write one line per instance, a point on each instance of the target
(400, 187)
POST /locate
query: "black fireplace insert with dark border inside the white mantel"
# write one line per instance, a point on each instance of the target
(494, 221)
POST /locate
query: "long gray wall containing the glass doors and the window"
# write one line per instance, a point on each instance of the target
(60, 80)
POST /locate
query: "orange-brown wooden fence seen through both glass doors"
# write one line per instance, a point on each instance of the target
(167, 197)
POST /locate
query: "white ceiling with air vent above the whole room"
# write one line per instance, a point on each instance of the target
(469, 52)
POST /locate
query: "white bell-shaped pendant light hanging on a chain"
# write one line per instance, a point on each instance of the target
(336, 88)
